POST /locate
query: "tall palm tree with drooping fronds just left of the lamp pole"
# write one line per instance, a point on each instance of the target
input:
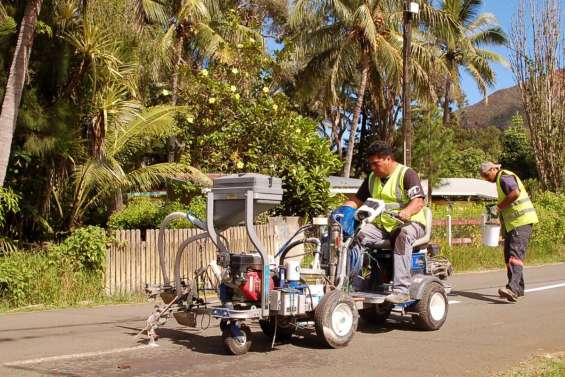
(355, 39)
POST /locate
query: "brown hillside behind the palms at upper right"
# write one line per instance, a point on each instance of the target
(501, 106)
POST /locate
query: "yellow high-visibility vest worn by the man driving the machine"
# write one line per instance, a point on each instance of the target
(392, 192)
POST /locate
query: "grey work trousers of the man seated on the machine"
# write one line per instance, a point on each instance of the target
(403, 239)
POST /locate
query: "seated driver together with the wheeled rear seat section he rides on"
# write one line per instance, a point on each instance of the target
(391, 265)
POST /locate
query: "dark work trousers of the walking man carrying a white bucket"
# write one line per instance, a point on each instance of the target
(515, 244)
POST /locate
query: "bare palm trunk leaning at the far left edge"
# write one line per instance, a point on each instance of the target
(16, 81)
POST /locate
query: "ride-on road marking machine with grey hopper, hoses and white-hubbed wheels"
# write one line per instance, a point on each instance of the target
(280, 292)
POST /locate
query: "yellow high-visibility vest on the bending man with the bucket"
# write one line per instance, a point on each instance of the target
(521, 211)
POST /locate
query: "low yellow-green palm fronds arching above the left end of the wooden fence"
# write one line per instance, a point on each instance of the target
(104, 176)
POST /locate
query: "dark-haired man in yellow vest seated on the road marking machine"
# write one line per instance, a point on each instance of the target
(393, 183)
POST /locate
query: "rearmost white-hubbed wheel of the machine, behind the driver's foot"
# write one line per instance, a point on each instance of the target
(432, 308)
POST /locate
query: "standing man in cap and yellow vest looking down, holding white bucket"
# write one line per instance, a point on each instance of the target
(517, 215)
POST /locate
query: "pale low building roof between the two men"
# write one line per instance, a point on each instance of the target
(458, 187)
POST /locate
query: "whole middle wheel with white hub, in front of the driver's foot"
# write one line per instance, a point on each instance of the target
(336, 319)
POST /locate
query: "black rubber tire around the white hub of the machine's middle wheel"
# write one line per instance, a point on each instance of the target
(323, 319)
